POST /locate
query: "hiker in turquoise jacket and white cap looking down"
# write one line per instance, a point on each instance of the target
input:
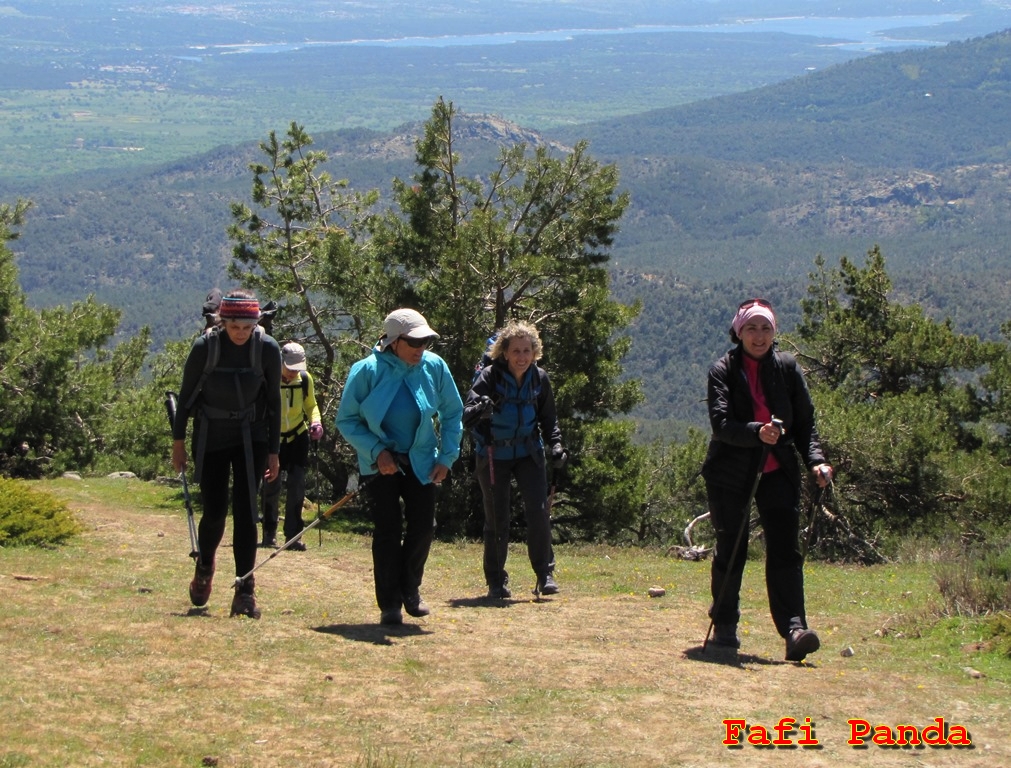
(387, 415)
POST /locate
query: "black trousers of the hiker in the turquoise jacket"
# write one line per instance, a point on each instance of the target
(401, 540)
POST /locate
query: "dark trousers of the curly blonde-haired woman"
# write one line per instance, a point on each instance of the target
(533, 486)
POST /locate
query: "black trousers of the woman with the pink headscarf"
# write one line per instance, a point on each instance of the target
(778, 501)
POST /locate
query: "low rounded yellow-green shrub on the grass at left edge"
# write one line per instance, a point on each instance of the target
(31, 518)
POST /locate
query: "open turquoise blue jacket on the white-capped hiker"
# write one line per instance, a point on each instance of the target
(369, 394)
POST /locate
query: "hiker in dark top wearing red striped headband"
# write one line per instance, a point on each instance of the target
(232, 387)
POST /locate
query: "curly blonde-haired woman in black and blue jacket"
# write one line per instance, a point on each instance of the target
(511, 414)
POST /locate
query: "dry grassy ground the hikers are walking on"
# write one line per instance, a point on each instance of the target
(107, 665)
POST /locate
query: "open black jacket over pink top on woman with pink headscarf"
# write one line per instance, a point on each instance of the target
(736, 449)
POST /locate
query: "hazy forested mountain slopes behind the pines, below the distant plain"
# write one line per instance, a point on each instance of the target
(730, 198)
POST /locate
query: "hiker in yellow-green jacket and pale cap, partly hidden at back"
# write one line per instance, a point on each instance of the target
(300, 425)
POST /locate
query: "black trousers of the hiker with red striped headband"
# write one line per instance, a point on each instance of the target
(222, 468)
